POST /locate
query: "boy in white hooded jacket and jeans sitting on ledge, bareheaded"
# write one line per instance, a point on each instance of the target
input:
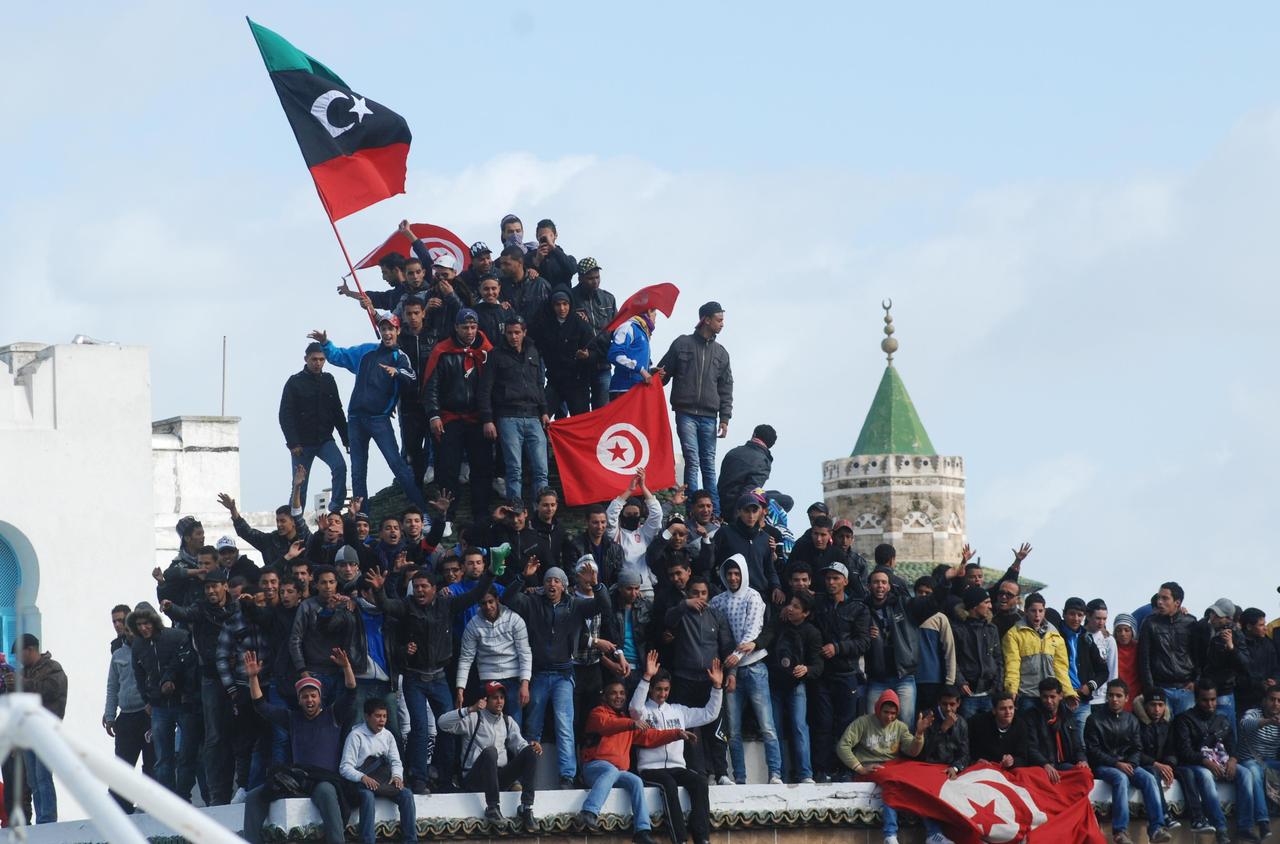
(371, 749)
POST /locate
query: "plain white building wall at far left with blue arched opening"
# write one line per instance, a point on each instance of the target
(76, 501)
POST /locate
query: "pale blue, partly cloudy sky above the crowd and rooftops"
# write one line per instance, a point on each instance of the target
(1072, 209)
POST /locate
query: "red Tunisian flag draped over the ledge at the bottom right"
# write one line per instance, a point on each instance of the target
(990, 805)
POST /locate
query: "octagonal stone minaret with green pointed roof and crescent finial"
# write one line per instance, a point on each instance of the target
(895, 487)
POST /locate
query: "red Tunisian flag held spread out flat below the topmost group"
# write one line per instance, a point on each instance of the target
(598, 453)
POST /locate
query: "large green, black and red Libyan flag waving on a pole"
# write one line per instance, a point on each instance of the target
(355, 148)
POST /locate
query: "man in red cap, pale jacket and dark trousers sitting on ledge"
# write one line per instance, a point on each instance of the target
(496, 754)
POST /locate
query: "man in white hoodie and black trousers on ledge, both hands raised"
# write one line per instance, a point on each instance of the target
(665, 767)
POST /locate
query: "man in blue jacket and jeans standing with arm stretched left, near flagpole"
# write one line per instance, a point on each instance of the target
(382, 372)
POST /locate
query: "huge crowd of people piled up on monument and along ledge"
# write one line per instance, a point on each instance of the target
(413, 654)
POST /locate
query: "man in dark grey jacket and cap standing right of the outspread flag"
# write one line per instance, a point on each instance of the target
(703, 390)
